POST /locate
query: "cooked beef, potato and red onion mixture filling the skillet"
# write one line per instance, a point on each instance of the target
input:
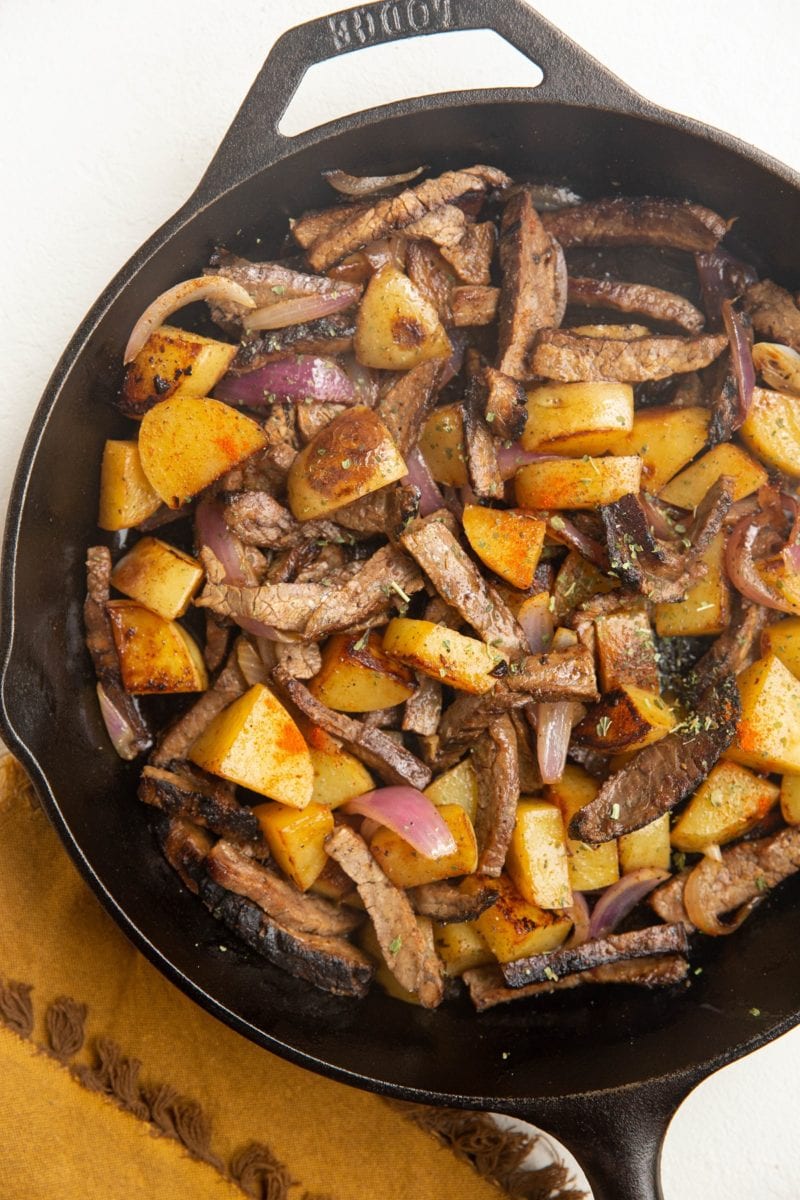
(492, 599)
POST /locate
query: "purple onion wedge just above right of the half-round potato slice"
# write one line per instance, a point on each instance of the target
(300, 377)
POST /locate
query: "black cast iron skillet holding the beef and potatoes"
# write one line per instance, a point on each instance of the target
(604, 1070)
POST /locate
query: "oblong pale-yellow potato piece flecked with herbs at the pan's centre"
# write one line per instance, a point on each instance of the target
(442, 653)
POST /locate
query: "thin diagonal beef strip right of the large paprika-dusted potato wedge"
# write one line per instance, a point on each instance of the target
(393, 763)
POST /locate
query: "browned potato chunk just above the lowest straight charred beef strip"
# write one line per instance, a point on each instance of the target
(514, 928)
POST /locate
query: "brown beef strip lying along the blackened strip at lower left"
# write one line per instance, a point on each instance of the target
(278, 897)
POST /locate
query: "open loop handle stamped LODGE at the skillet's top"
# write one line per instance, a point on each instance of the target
(572, 76)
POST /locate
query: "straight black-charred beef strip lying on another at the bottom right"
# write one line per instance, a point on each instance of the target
(616, 949)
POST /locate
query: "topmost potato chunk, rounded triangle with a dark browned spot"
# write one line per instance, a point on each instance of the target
(398, 328)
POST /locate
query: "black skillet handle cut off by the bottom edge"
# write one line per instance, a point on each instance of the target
(616, 1136)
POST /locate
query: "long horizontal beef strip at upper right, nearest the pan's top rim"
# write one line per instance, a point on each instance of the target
(637, 221)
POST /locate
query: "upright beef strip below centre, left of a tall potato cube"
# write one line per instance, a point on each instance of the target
(497, 769)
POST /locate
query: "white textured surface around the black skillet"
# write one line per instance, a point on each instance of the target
(111, 112)
